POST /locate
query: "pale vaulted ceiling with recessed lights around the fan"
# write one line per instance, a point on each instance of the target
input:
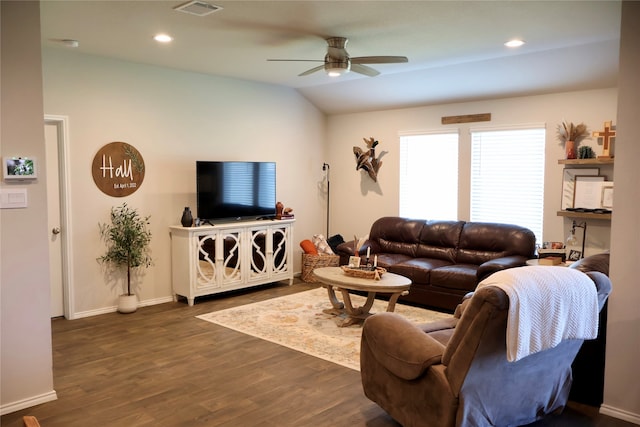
(455, 49)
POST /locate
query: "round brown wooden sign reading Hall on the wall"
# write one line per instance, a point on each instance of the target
(118, 169)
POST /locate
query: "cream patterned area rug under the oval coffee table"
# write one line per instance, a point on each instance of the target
(298, 322)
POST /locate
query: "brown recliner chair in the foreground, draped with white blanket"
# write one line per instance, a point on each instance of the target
(455, 372)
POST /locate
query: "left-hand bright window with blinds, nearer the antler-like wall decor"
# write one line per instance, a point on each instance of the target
(429, 176)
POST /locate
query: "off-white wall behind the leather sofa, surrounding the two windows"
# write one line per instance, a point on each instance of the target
(357, 201)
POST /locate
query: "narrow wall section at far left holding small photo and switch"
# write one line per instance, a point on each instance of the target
(26, 370)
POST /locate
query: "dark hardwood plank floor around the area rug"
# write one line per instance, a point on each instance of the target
(160, 366)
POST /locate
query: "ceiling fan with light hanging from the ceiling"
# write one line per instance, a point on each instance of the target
(337, 60)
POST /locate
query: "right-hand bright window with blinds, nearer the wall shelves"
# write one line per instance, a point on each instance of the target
(507, 177)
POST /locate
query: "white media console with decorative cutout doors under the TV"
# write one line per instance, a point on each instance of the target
(217, 258)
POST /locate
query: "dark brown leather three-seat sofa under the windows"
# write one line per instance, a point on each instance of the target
(444, 259)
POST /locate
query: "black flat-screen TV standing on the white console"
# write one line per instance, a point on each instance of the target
(235, 190)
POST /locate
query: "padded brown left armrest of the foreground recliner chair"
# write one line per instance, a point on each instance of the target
(400, 346)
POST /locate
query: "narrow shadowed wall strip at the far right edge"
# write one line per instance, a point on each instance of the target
(622, 377)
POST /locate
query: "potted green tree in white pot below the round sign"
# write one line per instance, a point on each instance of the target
(127, 238)
